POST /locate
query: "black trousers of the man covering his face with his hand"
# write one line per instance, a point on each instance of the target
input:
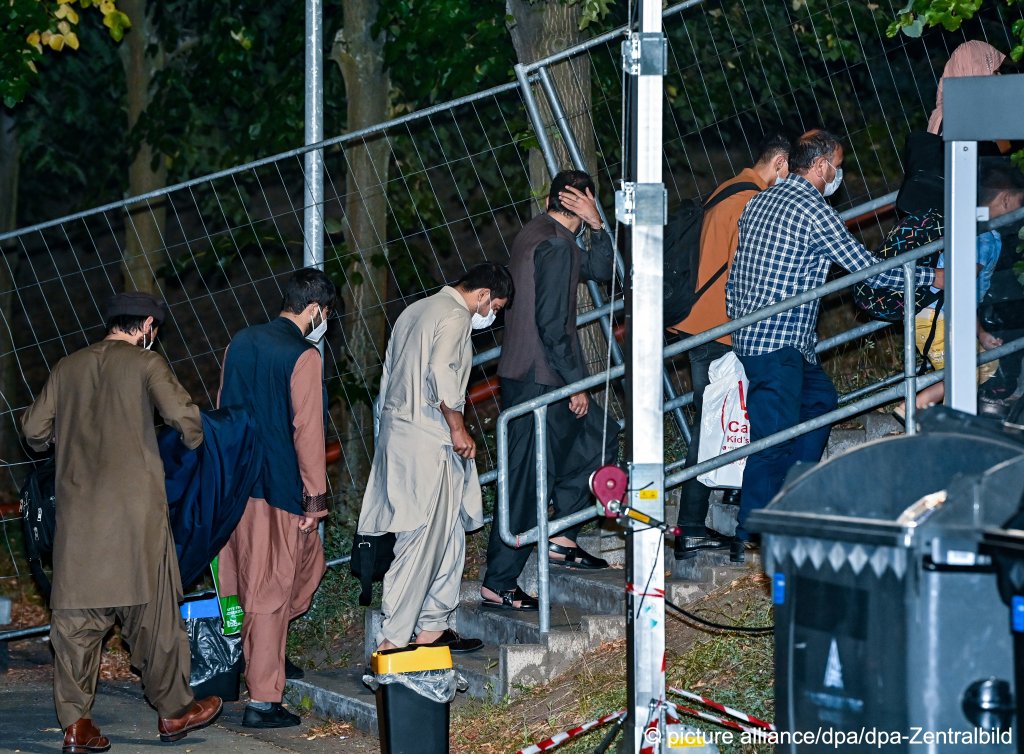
(574, 454)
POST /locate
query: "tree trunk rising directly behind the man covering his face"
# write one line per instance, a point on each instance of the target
(541, 29)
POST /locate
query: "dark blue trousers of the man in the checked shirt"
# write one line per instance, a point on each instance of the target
(785, 390)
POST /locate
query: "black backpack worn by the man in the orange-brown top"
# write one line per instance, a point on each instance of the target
(682, 256)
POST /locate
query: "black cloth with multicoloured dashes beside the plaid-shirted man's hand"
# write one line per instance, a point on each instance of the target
(912, 233)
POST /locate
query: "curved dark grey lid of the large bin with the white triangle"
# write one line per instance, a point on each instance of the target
(861, 495)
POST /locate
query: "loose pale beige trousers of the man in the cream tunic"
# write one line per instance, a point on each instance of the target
(421, 589)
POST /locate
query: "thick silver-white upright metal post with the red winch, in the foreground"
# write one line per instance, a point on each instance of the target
(644, 204)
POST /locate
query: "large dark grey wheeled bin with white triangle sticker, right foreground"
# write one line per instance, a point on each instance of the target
(887, 615)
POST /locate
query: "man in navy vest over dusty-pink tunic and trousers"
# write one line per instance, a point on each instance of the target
(275, 560)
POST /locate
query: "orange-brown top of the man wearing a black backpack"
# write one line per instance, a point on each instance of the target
(719, 239)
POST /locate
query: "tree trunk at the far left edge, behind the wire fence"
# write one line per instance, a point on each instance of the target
(10, 155)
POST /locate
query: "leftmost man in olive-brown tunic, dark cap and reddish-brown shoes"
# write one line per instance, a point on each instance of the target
(114, 557)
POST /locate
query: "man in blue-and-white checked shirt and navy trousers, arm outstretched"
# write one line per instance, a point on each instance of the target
(789, 239)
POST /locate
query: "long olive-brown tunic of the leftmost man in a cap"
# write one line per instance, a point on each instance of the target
(112, 533)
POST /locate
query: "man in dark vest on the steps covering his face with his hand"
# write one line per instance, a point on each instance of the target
(541, 353)
